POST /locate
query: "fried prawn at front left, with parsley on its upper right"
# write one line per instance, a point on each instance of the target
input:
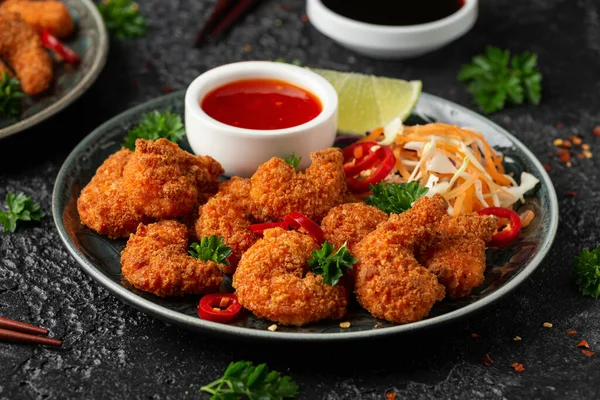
(156, 260)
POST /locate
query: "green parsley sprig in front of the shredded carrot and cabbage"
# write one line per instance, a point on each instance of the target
(395, 198)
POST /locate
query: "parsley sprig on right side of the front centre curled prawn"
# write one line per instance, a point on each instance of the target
(331, 266)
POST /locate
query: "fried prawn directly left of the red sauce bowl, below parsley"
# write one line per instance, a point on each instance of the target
(164, 181)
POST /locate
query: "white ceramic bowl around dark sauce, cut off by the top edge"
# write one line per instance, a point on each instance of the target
(392, 42)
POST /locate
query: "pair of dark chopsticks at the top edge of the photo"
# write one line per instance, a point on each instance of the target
(222, 20)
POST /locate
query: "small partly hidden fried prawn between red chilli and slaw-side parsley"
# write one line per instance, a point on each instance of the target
(350, 223)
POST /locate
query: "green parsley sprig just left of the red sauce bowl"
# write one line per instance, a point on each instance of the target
(156, 125)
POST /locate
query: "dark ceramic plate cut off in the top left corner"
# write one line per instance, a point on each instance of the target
(90, 42)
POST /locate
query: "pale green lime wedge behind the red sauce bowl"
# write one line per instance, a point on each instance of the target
(367, 102)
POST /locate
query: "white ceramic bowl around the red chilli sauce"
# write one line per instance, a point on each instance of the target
(240, 151)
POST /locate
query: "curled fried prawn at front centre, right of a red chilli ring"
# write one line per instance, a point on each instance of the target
(272, 281)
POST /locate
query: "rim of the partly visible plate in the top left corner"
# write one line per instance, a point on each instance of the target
(80, 88)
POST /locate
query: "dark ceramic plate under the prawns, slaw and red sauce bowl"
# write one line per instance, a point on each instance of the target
(100, 257)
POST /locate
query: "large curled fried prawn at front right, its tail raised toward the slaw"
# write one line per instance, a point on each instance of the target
(390, 283)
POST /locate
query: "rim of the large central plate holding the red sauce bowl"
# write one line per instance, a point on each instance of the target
(202, 326)
